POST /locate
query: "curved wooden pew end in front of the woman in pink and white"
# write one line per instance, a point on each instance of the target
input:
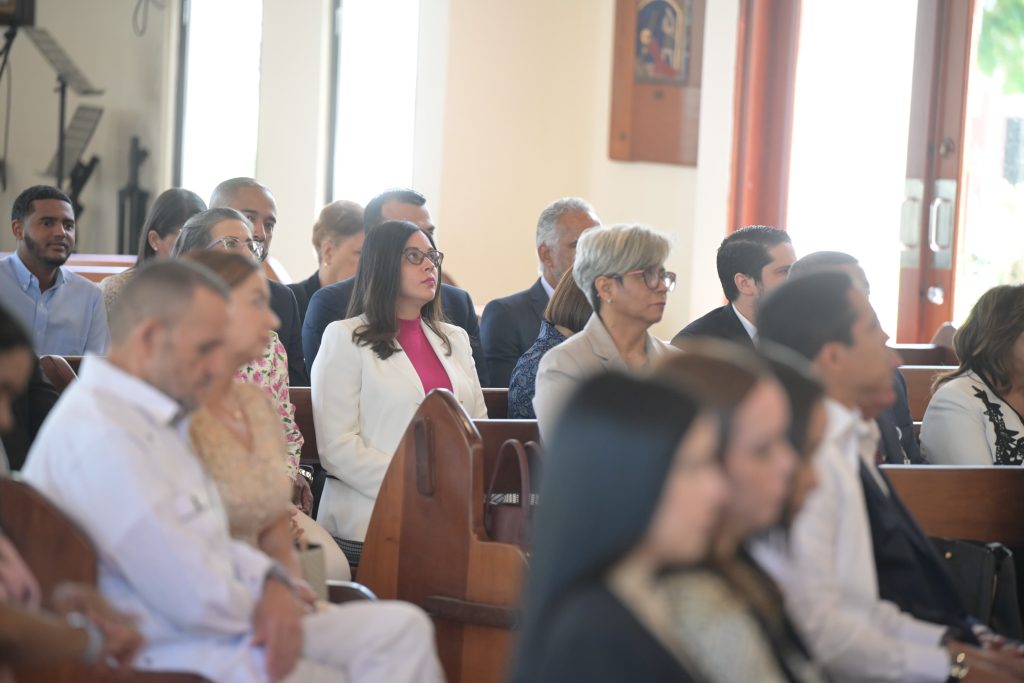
(426, 542)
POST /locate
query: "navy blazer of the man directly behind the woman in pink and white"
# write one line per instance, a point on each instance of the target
(331, 304)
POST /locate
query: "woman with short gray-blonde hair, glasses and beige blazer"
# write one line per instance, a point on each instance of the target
(621, 269)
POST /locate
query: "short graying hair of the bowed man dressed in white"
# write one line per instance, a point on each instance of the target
(162, 289)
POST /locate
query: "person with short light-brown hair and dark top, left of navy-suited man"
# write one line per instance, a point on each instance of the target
(338, 236)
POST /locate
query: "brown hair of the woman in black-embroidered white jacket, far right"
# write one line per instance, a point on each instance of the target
(986, 341)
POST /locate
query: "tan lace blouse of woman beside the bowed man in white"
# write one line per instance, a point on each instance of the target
(251, 483)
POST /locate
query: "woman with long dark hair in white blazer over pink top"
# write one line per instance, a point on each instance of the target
(376, 368)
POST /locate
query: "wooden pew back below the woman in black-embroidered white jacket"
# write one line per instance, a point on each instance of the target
(971, 503)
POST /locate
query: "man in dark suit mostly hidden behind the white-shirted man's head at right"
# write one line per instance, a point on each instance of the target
(899, 443)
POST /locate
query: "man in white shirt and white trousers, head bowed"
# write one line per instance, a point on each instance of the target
(115, 456)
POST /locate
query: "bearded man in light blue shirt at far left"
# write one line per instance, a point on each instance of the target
(63, 311)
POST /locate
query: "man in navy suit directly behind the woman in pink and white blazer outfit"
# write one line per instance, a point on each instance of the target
(331, 304)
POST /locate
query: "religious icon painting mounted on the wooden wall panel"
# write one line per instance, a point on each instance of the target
(662, 44)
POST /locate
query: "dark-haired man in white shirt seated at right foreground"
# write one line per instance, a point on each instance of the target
(828, 572)
